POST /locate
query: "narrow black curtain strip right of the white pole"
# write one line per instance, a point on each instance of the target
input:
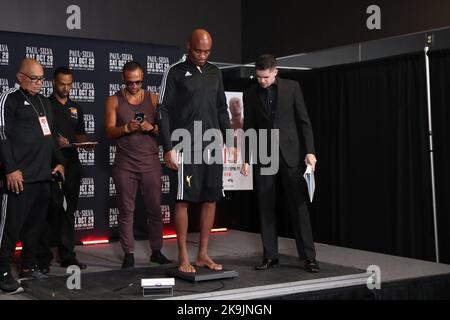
(440, 102)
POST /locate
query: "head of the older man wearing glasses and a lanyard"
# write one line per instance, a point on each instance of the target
(30, 75)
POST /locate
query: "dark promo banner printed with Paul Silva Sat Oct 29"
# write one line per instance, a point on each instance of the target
(96, 67)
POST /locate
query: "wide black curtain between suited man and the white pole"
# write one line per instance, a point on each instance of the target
(373, 173)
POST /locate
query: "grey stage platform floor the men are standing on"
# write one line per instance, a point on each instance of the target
(343, 274)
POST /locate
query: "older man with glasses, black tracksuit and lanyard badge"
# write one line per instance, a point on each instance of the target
(29, 156)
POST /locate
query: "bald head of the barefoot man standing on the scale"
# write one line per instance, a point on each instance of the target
(199, 46)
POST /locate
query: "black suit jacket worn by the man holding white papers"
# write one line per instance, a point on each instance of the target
(291, 118)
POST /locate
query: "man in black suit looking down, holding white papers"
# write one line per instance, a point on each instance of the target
(276, 103)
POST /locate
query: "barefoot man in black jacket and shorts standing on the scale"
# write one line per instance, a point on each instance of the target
(192, 96)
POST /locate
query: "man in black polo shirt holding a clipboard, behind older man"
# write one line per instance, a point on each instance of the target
(68, 118)
